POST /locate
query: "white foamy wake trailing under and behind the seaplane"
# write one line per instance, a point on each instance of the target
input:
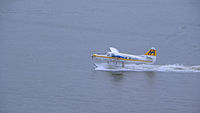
(160, 68)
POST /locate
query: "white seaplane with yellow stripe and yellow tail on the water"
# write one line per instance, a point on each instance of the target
(115, 58)
